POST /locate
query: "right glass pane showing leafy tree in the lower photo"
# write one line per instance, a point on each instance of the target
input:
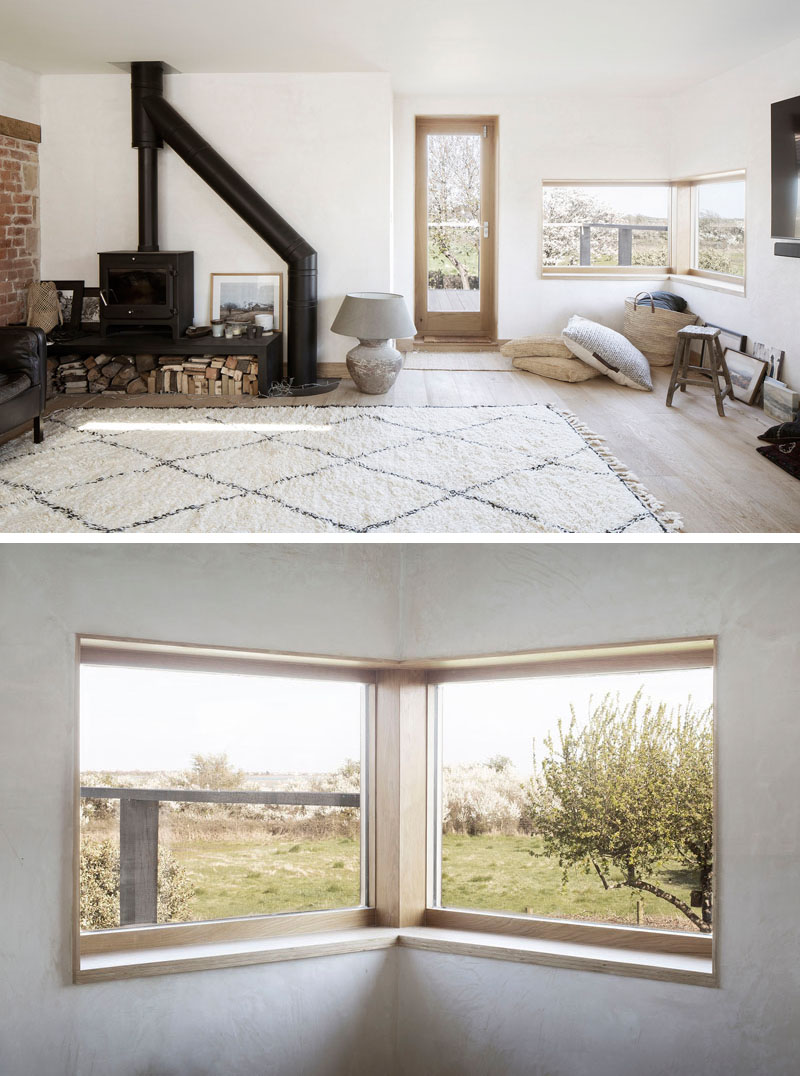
(555, 788)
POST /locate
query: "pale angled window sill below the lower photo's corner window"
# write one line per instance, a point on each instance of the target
(127, 965)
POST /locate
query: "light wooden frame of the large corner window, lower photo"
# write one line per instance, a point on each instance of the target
(401, 905)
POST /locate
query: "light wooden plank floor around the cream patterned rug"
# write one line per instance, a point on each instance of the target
(703, 466)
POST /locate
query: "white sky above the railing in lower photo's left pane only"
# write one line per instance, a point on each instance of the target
(155, 719)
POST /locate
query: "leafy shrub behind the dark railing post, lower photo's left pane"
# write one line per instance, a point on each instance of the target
(101, 887)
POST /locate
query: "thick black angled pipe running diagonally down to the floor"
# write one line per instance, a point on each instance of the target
(167, 124)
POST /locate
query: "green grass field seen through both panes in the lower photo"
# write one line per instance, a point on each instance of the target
(238, 879)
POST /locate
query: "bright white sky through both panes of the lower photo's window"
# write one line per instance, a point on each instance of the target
(157, 720)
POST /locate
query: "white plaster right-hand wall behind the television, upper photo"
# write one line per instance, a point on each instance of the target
(725, 125)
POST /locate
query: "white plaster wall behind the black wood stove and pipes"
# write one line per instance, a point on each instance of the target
(317, 147)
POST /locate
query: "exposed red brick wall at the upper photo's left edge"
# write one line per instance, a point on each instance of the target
(19, 224)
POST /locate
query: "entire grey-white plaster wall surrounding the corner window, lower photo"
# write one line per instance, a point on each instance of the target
(409, 1012)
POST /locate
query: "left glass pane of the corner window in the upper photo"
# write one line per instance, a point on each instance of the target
(606, 226)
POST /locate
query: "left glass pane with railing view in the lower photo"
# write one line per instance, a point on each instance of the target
(228, 741)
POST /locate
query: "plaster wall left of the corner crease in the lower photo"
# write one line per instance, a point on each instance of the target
(332, 1017)
